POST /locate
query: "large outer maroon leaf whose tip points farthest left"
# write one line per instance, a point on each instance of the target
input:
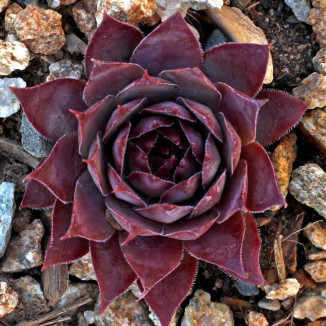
(47, 106)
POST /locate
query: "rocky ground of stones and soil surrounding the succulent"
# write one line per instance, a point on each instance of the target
(43, 40)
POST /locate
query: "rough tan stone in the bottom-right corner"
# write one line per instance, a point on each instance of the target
(311, 305)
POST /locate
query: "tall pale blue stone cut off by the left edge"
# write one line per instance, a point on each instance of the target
(7, 210)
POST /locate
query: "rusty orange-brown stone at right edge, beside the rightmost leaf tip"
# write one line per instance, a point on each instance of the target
(313, 125)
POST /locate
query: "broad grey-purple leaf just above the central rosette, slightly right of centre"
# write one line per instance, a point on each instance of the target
(194, 85)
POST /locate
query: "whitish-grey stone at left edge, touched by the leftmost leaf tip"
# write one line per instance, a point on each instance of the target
(9, 104)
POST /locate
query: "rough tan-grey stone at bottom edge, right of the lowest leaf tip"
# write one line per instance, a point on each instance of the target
(202, 311)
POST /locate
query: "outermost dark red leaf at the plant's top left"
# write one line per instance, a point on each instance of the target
(112, 41)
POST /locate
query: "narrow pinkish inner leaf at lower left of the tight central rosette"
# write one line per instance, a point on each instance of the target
(121, 190)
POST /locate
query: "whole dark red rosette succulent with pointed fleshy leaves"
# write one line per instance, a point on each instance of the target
(158, 159)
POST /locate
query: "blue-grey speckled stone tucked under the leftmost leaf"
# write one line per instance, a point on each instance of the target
(33, 142)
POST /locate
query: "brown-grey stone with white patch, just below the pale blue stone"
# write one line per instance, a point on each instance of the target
(24, 250)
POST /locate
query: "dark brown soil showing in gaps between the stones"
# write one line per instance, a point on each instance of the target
(293, 47)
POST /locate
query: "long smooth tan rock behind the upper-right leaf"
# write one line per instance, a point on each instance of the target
(239, 28)
